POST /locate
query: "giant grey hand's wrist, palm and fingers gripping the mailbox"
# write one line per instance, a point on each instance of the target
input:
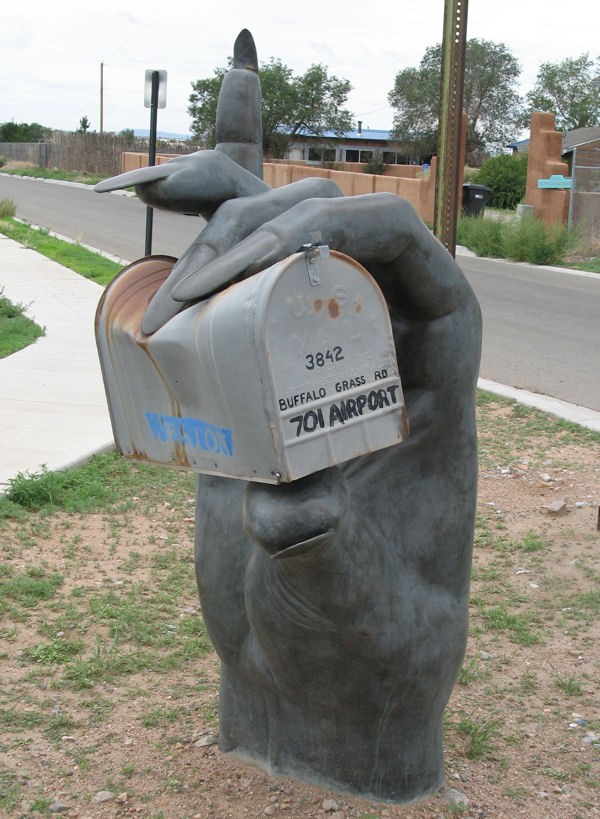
(338, 603)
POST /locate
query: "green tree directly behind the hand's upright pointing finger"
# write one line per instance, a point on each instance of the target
(311, 103)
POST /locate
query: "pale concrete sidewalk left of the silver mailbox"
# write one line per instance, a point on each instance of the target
(53, 409)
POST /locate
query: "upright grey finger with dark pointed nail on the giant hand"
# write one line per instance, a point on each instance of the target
(239, 110)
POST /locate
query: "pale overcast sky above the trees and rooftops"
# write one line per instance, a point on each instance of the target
(51, 51)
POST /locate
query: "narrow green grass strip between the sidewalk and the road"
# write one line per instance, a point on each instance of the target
(73, 256)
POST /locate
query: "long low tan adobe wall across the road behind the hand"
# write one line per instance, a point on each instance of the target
(419, 190)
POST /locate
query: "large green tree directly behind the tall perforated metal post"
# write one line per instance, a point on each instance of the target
(492, 105)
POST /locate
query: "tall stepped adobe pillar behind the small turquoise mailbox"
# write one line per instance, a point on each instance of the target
(545, 146)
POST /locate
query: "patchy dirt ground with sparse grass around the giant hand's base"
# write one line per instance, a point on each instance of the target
(522, 727)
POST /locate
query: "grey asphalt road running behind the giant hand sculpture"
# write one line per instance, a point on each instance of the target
(541, 325)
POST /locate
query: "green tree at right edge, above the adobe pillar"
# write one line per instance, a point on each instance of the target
(566, 90)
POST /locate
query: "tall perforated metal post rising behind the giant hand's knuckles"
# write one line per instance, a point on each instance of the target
(450, 120)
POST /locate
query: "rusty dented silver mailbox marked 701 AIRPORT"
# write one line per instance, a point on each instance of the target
(281, 375)
